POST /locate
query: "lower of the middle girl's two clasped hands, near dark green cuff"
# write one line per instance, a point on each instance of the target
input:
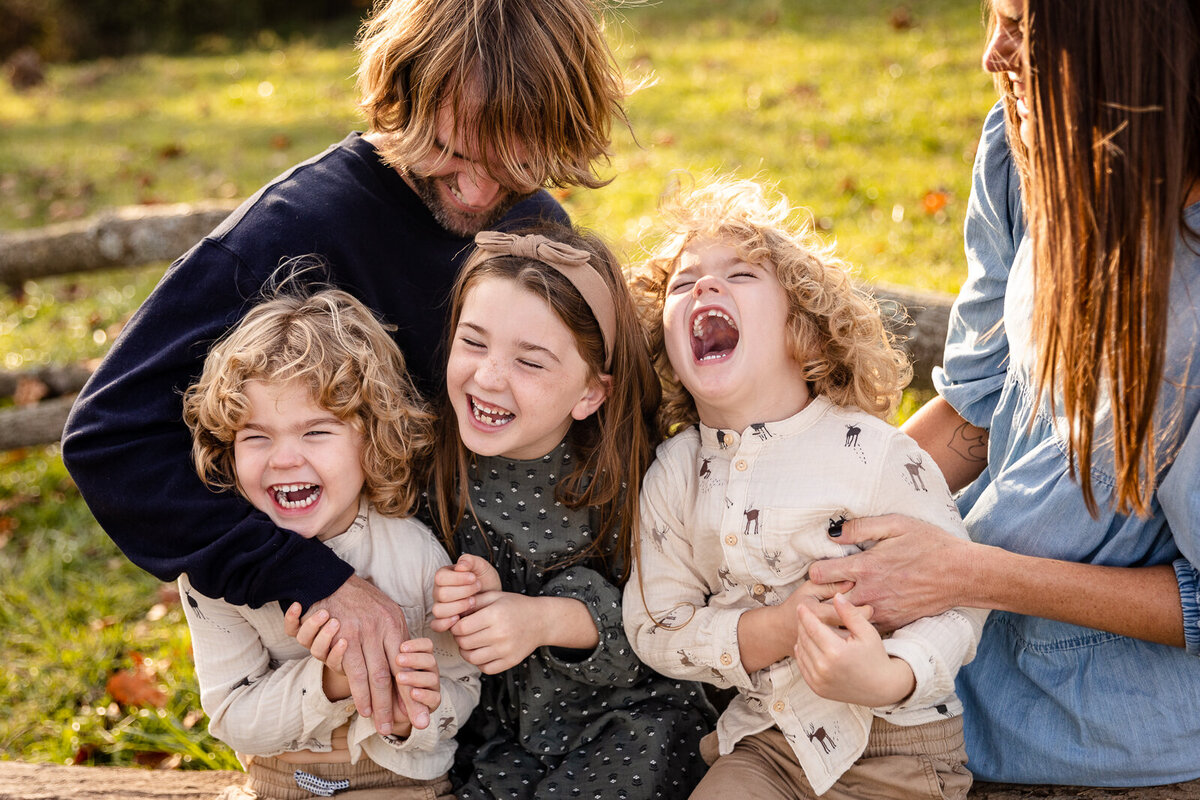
(502, 633)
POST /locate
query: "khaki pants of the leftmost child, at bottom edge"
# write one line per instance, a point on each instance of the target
(269, 779)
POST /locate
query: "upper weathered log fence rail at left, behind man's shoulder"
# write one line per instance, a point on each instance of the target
(127, 237)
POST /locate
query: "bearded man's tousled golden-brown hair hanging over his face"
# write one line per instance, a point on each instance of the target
(535, 81)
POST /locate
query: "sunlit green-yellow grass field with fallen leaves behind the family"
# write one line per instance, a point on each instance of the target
(862, 112)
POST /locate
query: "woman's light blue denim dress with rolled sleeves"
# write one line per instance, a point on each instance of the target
(1047, 702)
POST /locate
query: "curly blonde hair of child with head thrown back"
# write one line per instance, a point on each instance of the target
(836, 330)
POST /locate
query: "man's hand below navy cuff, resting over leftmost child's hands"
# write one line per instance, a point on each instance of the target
(374, 629)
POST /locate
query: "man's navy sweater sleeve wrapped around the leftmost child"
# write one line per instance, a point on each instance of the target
(130, 453)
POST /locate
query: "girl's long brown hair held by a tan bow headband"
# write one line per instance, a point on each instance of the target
(614, 447)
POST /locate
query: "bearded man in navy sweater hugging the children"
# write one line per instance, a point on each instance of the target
(473, 107)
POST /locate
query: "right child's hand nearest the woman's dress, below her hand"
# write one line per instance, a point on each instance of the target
(849, 665)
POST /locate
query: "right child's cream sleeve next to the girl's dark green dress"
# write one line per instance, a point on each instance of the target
(667, 611)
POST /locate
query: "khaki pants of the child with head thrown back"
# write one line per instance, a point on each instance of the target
(919, 762)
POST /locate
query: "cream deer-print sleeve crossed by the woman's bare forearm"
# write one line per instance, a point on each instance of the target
(934, 647)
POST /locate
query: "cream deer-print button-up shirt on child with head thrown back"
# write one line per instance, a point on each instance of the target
(731, 521)
